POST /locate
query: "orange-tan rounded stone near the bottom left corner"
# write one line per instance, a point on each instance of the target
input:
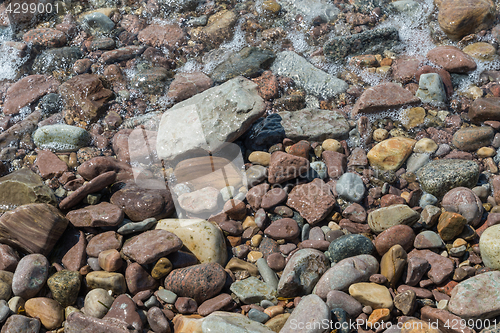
(49, 311)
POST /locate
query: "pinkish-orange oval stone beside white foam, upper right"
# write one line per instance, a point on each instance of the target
(452, 59)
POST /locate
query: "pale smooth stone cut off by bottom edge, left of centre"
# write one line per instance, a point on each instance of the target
(231, 322)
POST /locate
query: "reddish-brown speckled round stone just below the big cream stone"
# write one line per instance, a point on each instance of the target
(200, 282)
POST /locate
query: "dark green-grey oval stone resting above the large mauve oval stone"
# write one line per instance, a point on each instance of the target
(349, 246)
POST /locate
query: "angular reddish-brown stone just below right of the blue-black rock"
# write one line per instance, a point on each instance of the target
(285, 166)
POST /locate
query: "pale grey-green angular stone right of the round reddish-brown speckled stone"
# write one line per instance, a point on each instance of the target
(252, 290)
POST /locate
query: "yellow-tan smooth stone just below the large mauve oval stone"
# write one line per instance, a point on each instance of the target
(372, 294)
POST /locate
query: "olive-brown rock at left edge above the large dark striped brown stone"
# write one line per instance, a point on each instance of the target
(23, 187)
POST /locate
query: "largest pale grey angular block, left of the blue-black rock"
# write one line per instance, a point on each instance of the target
(217, 115)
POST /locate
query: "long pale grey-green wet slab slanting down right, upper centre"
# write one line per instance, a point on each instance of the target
(313, 80)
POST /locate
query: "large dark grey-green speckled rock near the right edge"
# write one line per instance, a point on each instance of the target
(439, 176)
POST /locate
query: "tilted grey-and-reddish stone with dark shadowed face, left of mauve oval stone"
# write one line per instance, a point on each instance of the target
(302, 272)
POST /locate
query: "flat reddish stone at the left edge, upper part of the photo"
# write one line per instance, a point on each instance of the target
(26, 91)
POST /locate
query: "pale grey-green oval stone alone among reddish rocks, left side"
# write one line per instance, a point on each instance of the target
(61, 138)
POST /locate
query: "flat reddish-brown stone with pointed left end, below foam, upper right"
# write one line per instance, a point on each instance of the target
(383, 97)
